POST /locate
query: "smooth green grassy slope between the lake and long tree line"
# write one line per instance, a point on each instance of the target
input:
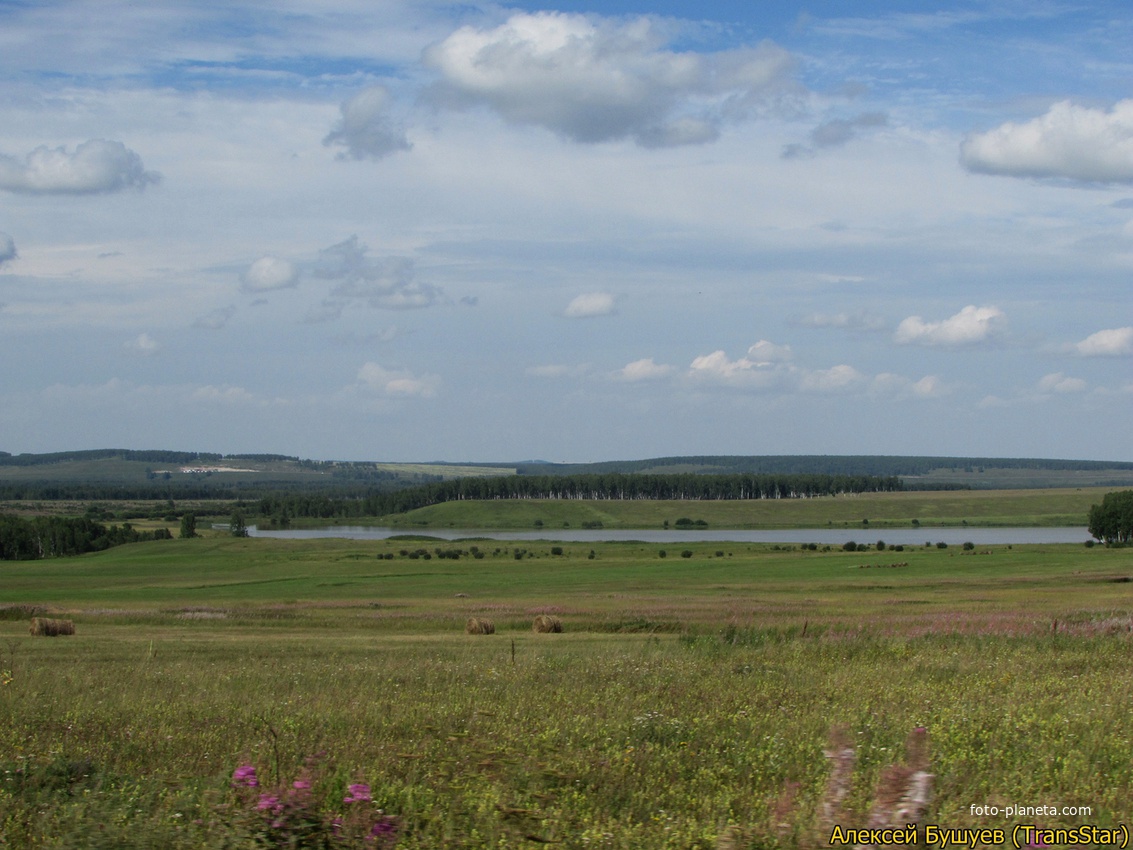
(930, 508)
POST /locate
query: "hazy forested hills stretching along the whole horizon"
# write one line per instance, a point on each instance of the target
(141, 474)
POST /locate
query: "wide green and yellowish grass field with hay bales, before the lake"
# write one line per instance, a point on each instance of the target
(687, 703)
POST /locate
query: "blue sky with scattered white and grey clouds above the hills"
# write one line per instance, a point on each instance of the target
(478, 232)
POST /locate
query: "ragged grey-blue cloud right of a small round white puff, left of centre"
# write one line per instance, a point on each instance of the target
(386, 284)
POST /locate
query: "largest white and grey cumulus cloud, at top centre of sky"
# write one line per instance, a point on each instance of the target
(597, 80)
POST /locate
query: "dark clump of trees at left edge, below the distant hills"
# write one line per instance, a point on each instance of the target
(36, 538)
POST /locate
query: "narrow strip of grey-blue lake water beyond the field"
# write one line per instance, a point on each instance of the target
(822, 537)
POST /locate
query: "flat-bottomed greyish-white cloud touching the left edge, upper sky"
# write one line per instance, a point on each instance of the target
(99, 166)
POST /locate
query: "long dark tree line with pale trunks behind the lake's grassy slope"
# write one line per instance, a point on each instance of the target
(615, 487)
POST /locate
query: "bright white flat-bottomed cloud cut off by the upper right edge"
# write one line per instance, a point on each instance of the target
(1071, 142)
